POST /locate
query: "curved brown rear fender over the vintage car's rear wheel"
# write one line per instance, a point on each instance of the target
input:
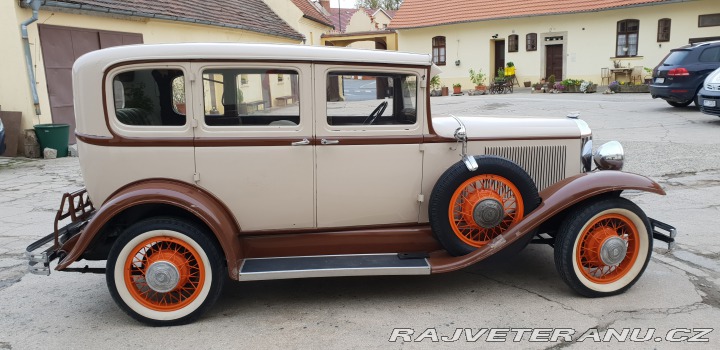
(165, 191)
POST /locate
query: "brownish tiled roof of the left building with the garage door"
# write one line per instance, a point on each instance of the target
(250, 15)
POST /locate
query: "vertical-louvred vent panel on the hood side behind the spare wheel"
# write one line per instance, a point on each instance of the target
(545, 164)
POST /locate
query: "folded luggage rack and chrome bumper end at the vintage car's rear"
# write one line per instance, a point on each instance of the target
(76, 206)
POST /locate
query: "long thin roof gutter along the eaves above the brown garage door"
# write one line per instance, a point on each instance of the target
(84, 7)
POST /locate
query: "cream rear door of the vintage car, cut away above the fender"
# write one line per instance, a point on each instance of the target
(253, 146)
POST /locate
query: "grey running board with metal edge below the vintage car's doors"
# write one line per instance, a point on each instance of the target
(331, 266)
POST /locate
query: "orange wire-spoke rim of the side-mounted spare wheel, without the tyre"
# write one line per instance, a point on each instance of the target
(483, 207)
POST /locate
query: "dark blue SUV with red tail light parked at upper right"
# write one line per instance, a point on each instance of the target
(680, 76)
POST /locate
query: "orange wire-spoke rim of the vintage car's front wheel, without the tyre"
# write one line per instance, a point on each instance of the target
(607, 248)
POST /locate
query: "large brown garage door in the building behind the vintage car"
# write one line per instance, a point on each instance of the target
(61, 46)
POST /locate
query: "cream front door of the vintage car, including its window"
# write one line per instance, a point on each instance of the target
(368, 138)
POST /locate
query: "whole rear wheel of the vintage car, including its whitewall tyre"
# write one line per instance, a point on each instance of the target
(164, 271)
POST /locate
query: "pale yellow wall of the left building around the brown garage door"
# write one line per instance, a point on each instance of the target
(14, 89)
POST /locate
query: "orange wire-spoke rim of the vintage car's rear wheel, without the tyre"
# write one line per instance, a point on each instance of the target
(164, 273)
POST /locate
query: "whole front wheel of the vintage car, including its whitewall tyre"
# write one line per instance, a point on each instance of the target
(603, 248)
